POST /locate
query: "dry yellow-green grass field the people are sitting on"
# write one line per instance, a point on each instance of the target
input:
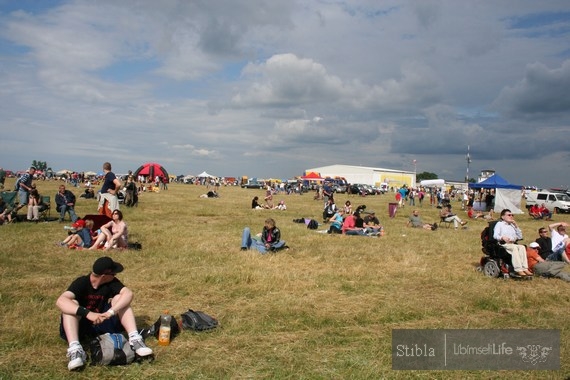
(324, 309)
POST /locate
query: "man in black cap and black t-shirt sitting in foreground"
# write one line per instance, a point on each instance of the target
(96, 304)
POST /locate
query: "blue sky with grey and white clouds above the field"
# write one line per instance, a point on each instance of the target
(269, 88)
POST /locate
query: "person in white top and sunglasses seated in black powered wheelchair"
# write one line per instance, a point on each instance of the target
(507, 233)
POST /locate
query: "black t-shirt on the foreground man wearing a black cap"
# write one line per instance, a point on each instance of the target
(94, 299)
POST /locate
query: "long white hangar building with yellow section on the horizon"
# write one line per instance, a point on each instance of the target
(368, 175)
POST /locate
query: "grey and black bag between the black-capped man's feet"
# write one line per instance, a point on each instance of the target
(111, 349)
